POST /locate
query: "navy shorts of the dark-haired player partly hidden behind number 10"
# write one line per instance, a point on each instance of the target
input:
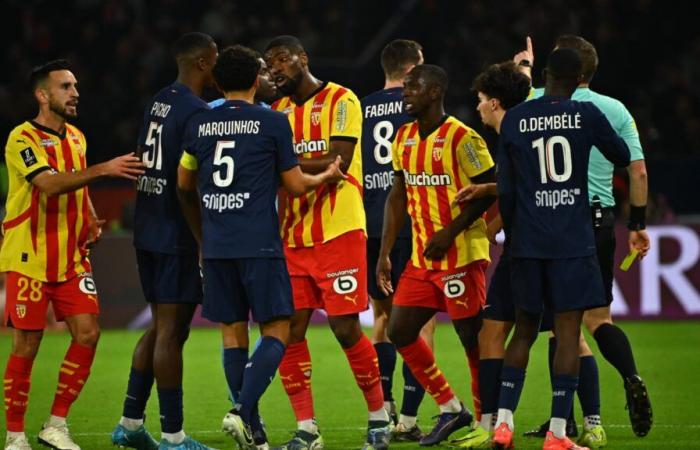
(499, 299)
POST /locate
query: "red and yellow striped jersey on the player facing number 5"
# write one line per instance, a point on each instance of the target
(332, 112)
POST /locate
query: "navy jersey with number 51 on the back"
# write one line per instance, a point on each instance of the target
(159, 225)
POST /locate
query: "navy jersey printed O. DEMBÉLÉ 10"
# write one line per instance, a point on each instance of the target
(543, 175)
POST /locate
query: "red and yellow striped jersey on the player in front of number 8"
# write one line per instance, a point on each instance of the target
(434, 169)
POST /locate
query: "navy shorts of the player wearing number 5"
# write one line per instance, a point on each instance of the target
(233, 288)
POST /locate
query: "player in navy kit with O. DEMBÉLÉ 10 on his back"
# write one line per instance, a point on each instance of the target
(543, 188)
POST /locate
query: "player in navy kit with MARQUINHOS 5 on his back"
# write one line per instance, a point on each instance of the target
(234, 158)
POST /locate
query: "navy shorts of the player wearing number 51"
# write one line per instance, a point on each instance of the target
(169, 278)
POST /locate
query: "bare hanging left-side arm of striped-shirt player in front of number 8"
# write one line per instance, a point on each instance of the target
(394, 216)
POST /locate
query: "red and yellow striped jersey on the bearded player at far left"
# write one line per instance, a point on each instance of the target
(44, 236)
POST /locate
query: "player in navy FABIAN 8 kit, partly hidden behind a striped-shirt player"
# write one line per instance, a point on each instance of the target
(383, 114)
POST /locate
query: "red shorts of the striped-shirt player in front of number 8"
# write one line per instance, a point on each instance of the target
(461, 291)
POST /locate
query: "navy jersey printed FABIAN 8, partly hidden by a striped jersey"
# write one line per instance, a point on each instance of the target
(383, 115)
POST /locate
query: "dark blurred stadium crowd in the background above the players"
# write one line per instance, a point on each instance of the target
(120, 51)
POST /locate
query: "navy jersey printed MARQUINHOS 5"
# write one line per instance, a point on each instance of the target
(239, 151)
